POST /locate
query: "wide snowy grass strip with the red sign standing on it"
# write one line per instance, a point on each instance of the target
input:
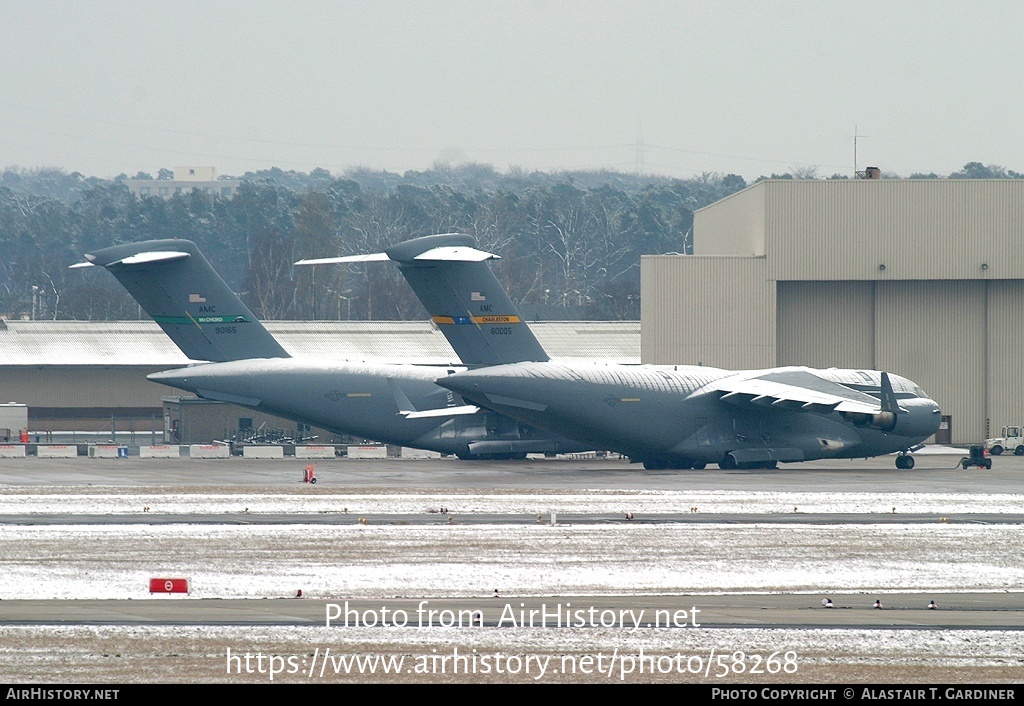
(360, 561)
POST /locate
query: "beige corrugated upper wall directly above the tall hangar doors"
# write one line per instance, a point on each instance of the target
(918, 229)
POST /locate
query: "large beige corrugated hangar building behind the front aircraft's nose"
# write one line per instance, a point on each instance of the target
(924, 278)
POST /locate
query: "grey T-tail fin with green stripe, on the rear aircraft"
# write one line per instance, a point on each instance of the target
(178, 286)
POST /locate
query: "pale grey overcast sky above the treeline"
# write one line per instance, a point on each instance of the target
(111, 87)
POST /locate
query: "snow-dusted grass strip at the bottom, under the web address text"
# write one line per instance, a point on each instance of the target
(202, 654)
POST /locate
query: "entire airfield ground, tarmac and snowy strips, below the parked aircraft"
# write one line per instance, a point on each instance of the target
(753, 553)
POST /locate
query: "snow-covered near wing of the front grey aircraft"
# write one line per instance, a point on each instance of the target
(797, 390)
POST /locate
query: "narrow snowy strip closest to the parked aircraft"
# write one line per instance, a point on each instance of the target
(97, 501)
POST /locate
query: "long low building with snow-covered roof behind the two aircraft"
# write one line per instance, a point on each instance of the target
(91, 377)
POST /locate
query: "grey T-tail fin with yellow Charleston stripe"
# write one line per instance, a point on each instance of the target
(460, 292)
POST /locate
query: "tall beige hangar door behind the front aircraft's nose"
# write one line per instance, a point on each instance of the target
(933, 333)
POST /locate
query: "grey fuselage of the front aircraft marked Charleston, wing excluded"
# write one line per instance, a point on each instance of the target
(684, 416)
